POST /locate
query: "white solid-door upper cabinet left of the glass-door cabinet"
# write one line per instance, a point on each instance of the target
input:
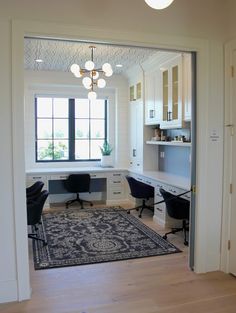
(153, 108)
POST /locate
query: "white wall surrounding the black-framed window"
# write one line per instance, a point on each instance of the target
(64, 84)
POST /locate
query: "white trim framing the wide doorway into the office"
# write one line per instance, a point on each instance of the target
(20, 29)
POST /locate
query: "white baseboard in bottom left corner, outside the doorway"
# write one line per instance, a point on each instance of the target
(8, 291)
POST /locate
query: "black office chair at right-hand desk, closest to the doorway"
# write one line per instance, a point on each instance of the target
(177, 208)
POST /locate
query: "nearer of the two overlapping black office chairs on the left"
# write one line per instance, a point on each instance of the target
(34, 214)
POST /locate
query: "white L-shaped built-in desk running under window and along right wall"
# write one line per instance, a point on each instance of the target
(114, 186)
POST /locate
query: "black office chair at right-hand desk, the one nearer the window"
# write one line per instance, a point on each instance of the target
(140, 191)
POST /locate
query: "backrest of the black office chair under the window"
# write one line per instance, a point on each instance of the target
(78, 183)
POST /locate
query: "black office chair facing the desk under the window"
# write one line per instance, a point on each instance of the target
(77, 183)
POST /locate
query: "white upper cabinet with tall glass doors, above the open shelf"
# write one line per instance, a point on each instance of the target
(172, 93)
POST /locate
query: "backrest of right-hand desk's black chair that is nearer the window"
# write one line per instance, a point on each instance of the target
(139, 189)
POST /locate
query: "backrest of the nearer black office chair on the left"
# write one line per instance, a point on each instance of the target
(35, 208)
